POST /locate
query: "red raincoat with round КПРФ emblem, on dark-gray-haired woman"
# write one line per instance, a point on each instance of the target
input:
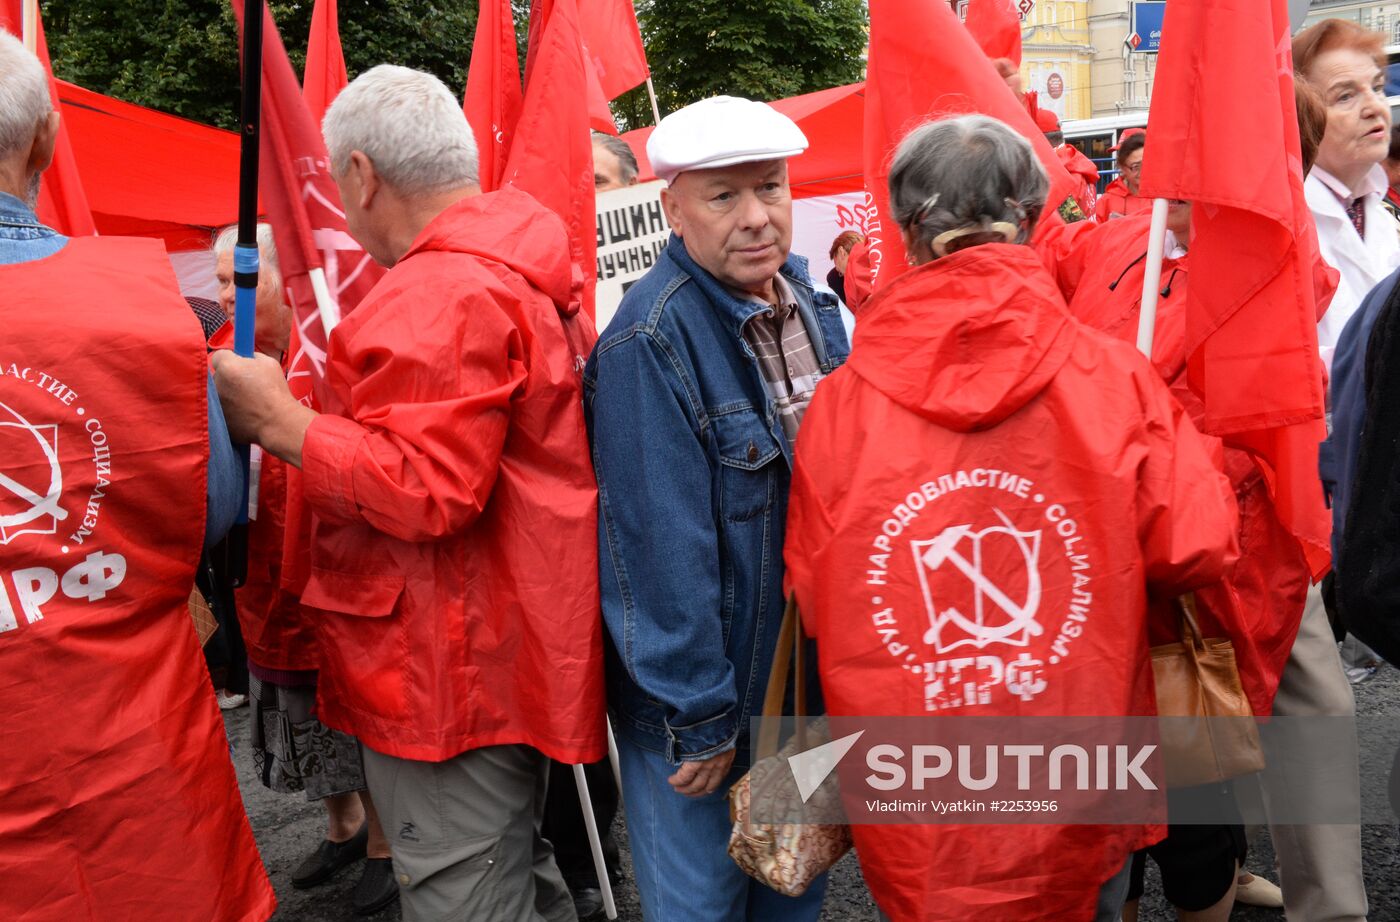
(1023, 420)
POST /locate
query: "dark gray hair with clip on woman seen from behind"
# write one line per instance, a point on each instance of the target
(967, 173)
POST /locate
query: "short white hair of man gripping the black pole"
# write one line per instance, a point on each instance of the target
(411, 128)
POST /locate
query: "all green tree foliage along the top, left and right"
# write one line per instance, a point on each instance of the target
(183, 55)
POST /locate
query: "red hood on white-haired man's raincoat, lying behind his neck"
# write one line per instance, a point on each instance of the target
(510, 227)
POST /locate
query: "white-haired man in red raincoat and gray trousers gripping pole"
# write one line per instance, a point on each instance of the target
(454, 572)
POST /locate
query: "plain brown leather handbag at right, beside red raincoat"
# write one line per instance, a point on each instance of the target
(1199, 679)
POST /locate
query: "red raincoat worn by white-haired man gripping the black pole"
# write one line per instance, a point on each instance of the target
(456, 546)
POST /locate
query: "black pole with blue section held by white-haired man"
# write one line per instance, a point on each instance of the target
(246, 253)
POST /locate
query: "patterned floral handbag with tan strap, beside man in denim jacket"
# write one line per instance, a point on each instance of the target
(787, 857)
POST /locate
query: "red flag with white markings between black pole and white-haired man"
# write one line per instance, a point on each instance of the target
(304, 209)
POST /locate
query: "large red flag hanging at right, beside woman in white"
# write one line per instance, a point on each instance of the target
(1252, 314)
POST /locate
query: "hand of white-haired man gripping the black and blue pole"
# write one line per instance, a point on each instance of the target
(258, 405)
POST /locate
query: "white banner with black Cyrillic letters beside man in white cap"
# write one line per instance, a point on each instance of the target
(632, 233)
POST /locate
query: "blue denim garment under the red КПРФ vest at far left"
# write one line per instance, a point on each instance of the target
(24, 239)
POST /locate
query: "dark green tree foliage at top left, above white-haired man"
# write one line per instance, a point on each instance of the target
(183, 55)
